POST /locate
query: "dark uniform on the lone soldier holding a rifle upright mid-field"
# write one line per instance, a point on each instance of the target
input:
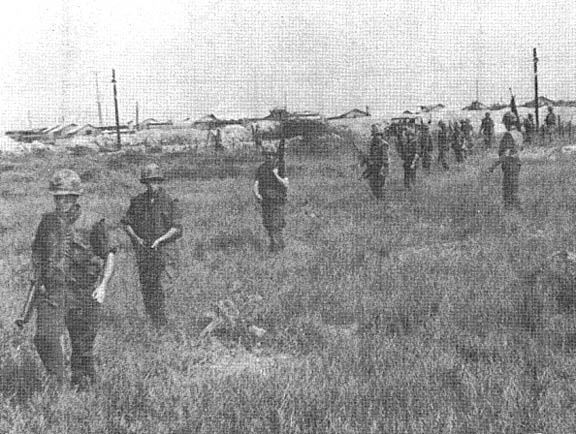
(274, 195)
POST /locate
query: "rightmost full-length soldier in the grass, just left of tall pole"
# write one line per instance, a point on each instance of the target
(509, 158)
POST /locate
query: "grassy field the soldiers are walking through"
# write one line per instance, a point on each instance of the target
(396, 317)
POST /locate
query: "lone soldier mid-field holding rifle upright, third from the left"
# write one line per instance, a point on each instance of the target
(270, 190)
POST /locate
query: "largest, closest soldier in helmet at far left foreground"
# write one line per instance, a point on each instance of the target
(73, 261)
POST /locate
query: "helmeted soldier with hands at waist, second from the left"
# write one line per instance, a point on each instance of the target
(153, 222)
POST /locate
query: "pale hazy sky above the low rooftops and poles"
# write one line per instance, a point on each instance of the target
(183, 59)
